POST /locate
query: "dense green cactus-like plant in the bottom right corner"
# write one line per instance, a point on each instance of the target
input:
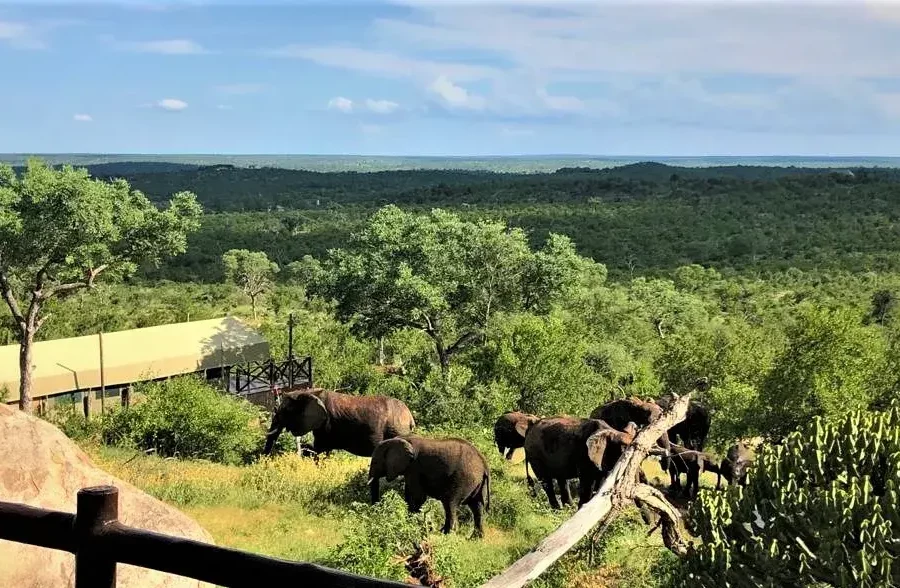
(820, 510)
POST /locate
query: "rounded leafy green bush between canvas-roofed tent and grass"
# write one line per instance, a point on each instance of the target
(186, 417)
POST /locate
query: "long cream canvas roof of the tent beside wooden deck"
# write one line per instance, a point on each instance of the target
(65, 365)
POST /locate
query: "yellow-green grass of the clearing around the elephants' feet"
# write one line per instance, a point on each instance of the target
(290, 508)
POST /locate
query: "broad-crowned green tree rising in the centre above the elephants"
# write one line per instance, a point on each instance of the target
(442, 275)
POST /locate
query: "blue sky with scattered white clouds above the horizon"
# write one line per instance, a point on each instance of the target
(416, 77)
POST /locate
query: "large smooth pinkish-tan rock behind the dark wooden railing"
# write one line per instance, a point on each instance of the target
(40, 466)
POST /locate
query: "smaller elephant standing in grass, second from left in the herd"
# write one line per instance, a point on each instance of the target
(451, 470)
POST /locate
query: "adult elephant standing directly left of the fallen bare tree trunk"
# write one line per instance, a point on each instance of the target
(557, 449)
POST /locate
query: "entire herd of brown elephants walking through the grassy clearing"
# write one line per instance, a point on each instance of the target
(454, 471)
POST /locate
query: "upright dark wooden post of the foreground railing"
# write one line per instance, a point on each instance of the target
(98, 507)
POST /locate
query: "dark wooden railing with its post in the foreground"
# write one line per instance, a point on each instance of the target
(99, 541)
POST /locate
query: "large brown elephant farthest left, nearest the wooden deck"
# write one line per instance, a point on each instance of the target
(340, 421)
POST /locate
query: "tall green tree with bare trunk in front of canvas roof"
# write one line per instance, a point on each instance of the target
(61, 231)
